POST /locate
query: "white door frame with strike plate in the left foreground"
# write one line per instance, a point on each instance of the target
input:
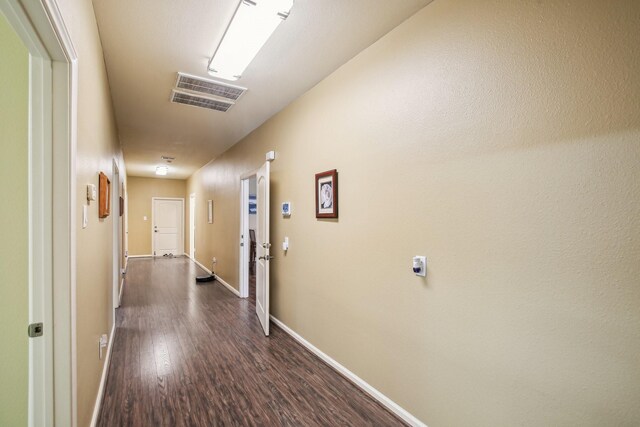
(53, 85)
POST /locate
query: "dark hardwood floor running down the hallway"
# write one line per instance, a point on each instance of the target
(195, 355)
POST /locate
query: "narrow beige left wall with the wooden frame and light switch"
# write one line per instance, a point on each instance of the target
(98, 145)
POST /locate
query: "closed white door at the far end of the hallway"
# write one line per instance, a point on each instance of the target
(167, 224)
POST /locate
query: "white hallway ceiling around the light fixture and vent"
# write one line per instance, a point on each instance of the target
(146, 42)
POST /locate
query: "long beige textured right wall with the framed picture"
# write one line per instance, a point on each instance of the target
(501, 139)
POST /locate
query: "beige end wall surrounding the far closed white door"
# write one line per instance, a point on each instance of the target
(141, 191)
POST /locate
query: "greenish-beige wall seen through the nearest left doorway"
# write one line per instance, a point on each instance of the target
(14, 216)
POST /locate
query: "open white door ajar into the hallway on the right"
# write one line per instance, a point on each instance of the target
(262, 247)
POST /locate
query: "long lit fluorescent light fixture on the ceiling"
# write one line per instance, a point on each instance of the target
(251, 26)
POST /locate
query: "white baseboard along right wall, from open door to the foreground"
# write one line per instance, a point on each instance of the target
(359, 382)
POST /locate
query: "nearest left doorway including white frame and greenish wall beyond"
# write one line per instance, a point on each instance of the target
(51, 146)
